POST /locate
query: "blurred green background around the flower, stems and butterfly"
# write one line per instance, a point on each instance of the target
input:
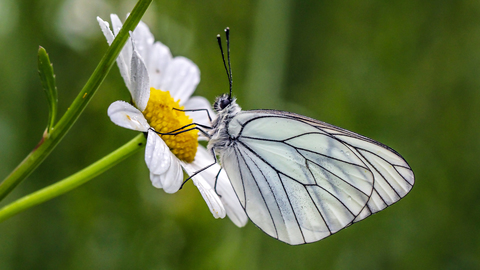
(406, 73)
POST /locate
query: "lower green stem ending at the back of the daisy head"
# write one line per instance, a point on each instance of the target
(74, 180)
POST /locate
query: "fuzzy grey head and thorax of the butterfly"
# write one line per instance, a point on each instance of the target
(219, 136)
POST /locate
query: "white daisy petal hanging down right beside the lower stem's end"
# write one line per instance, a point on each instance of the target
(157, 154)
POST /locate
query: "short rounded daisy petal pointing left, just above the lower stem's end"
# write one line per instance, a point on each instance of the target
(125, 115)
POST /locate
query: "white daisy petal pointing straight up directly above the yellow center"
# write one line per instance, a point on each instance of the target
(160, 57)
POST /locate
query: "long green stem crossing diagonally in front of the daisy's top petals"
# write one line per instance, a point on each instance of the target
(50, 140)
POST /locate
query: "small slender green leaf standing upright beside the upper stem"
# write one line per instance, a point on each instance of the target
(47, 77)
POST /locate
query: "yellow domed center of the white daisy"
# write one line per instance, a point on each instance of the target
(163, 118)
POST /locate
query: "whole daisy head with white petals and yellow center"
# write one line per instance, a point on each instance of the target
(161, 87)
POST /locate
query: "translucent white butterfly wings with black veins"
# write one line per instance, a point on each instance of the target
(301, 180)
